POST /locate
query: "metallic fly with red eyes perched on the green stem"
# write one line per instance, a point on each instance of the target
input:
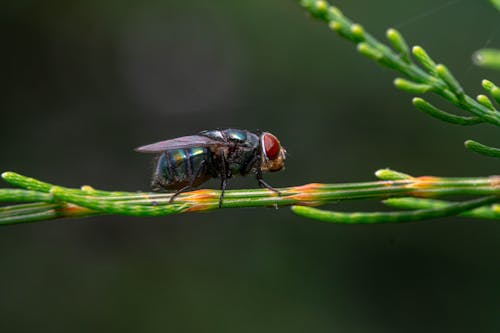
(189, 161)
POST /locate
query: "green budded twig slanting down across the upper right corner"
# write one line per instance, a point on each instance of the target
(423, 74)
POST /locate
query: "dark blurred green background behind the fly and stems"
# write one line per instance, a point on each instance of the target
(84, 82)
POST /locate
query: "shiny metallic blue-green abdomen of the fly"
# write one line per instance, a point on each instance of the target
(177, 168)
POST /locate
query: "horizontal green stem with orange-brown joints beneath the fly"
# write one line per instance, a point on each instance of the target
(58, 202)
